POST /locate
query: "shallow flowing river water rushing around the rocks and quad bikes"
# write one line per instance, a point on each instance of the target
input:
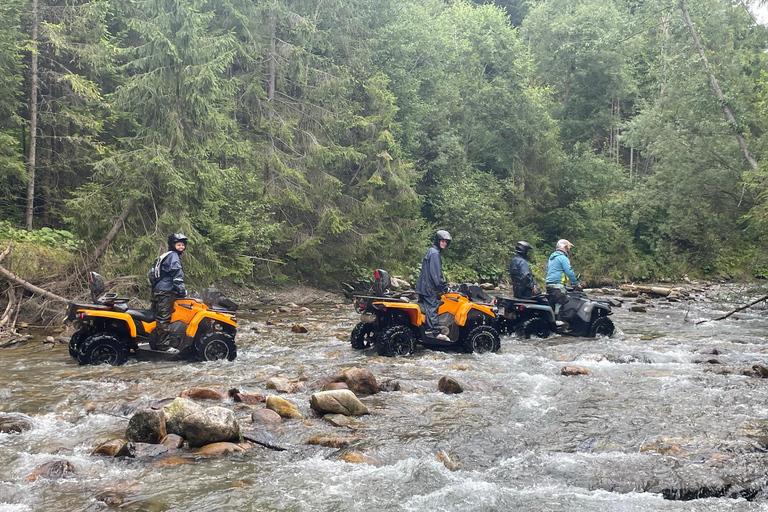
(664, 416)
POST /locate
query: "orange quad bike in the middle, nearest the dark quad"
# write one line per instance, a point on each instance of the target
(395, 324)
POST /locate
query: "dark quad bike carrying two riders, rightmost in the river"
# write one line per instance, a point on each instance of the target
(580, 316)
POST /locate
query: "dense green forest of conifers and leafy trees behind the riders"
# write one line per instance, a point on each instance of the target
(314, 140)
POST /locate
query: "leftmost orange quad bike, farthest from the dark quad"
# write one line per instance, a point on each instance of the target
(108, 331)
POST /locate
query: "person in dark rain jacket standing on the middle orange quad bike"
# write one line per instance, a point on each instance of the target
(431, 285)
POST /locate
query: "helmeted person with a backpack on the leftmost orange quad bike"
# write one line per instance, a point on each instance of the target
(167, 279)
